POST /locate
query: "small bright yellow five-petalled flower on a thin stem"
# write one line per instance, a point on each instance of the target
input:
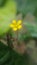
(16, 25)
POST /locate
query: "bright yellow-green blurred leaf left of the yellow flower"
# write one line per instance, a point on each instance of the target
(7, 14)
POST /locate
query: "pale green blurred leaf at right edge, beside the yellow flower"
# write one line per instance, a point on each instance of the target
(32, 28)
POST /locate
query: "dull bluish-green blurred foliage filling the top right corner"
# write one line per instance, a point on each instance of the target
(25, 6)
